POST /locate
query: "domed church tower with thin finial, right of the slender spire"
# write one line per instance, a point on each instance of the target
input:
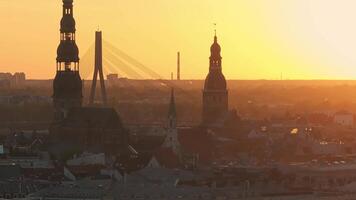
(215, 94)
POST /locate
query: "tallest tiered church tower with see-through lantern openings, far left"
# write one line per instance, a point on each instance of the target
(67, 85)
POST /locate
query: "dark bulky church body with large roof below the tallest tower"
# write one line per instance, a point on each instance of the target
(96, 128)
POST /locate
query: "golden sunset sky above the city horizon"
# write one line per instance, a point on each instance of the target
(260, 39)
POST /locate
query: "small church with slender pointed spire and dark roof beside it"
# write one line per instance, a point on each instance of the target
(185, 147)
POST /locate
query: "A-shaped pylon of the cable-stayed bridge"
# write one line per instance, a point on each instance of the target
(98, 69)
